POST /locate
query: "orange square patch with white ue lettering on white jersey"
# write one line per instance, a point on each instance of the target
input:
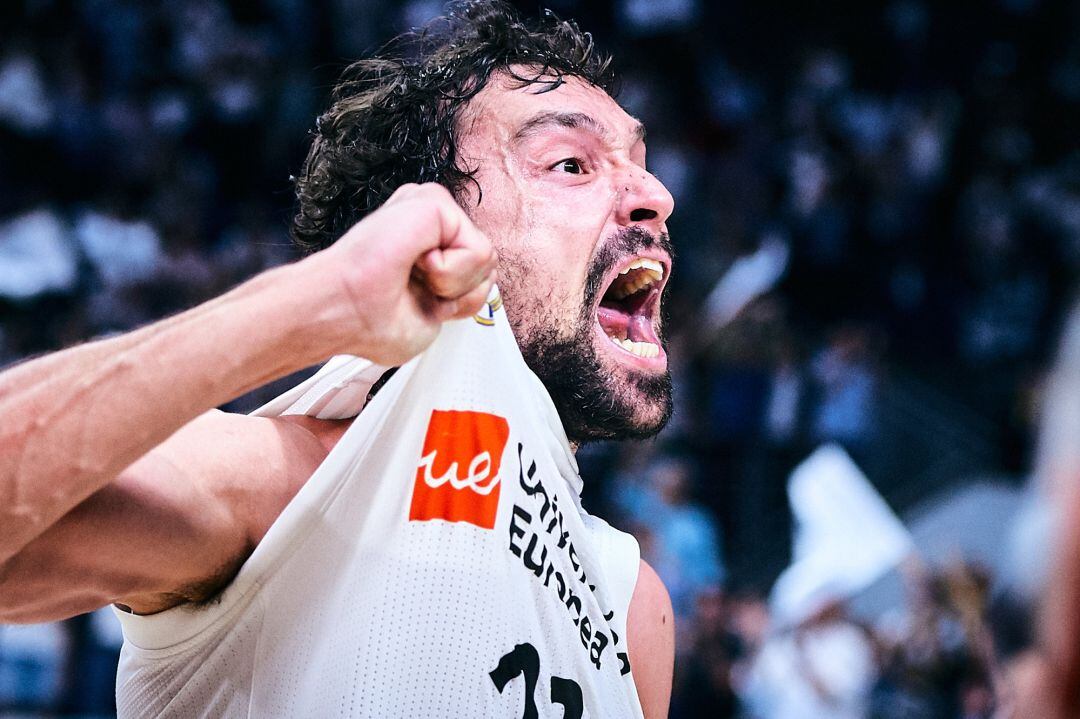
(457, 479)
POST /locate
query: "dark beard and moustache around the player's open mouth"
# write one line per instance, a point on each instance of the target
(597, 398)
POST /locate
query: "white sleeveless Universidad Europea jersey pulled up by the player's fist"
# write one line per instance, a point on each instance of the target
(438, 564)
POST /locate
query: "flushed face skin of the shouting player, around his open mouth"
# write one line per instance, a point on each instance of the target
(555, 198)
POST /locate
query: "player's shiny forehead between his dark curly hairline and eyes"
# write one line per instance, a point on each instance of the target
(505, 112)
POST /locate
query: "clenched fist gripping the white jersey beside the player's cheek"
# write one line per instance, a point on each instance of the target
(403, 270)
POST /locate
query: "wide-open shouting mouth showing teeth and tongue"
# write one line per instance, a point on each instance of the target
(628, 309)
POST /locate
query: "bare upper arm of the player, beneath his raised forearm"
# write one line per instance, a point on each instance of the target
(174, 524)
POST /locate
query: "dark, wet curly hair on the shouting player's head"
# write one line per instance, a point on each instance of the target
(394, 118)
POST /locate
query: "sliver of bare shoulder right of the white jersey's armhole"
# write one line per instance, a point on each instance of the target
(651, 629)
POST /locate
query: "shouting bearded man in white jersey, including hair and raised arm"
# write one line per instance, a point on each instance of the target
(429, 555)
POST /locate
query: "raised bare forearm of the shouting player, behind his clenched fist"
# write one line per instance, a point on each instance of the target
(71, 422)
